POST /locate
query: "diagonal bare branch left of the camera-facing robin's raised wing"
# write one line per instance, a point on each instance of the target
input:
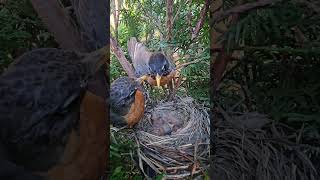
(121, 57)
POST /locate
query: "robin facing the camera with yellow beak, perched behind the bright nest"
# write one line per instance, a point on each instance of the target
(155, 68)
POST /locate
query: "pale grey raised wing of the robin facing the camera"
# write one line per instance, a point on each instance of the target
(140, 56)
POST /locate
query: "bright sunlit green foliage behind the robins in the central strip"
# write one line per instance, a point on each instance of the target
(146, 20)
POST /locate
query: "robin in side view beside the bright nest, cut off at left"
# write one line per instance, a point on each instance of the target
(127, 102)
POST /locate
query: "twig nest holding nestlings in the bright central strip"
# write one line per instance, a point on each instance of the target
(173, 139)
